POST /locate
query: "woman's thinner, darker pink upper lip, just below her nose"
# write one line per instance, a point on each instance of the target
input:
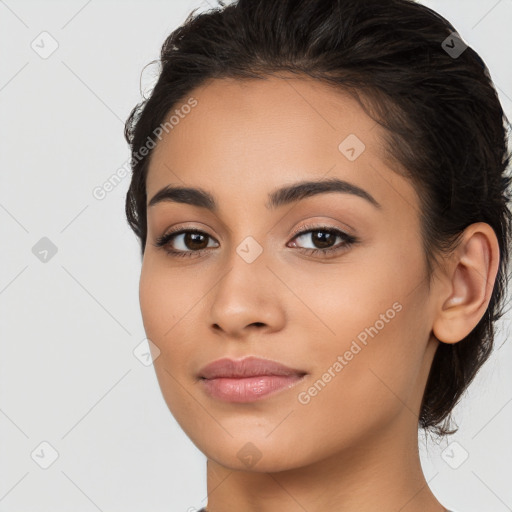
(248, 367)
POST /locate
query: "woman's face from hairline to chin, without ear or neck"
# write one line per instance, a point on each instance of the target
(330, 284)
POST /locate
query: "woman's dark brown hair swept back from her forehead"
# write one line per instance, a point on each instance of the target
(445, 128)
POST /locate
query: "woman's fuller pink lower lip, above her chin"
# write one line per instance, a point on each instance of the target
(248, 389)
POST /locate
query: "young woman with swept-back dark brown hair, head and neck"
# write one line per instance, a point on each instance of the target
(320, 194)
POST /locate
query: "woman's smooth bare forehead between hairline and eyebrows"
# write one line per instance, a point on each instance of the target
(258, 134)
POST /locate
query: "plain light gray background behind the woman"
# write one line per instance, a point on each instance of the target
(68, 375)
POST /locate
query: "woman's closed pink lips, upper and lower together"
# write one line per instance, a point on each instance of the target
(248, 379)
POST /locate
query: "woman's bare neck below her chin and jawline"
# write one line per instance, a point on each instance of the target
(381, 473)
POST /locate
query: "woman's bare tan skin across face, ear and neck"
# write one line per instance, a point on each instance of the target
(354, 446)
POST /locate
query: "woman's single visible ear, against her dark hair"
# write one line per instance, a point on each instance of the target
(468, 281)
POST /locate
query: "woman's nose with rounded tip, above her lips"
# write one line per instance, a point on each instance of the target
(247, 298)
